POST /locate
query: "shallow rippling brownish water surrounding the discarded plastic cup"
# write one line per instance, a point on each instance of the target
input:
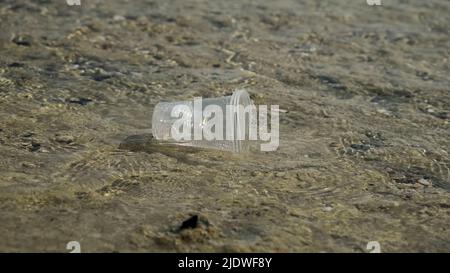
(364, 128)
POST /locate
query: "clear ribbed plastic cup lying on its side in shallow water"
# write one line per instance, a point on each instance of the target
(162, 122)
